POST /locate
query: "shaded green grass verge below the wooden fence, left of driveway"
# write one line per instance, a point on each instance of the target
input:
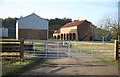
(13, 66)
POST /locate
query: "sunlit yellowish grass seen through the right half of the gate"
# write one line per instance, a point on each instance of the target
(95, 48)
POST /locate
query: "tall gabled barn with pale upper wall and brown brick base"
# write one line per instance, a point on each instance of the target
(32, 27)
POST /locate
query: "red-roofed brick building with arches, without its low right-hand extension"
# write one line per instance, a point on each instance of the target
(79, 30)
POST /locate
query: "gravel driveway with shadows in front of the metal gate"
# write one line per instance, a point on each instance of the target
(71, 66)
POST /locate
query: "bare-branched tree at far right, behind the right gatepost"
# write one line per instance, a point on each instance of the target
(109, 25)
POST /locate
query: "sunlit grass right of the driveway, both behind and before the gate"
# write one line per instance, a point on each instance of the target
(98, 50)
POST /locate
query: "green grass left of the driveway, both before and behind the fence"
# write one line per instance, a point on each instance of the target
(13, 66)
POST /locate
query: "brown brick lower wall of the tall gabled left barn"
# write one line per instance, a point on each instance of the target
(33, 34)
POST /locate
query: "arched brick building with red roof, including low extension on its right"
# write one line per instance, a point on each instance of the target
(80, 31)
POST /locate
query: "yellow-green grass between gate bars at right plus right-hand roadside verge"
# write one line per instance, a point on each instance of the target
(110, 61)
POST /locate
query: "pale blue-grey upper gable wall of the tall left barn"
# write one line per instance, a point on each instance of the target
(32, 22)
